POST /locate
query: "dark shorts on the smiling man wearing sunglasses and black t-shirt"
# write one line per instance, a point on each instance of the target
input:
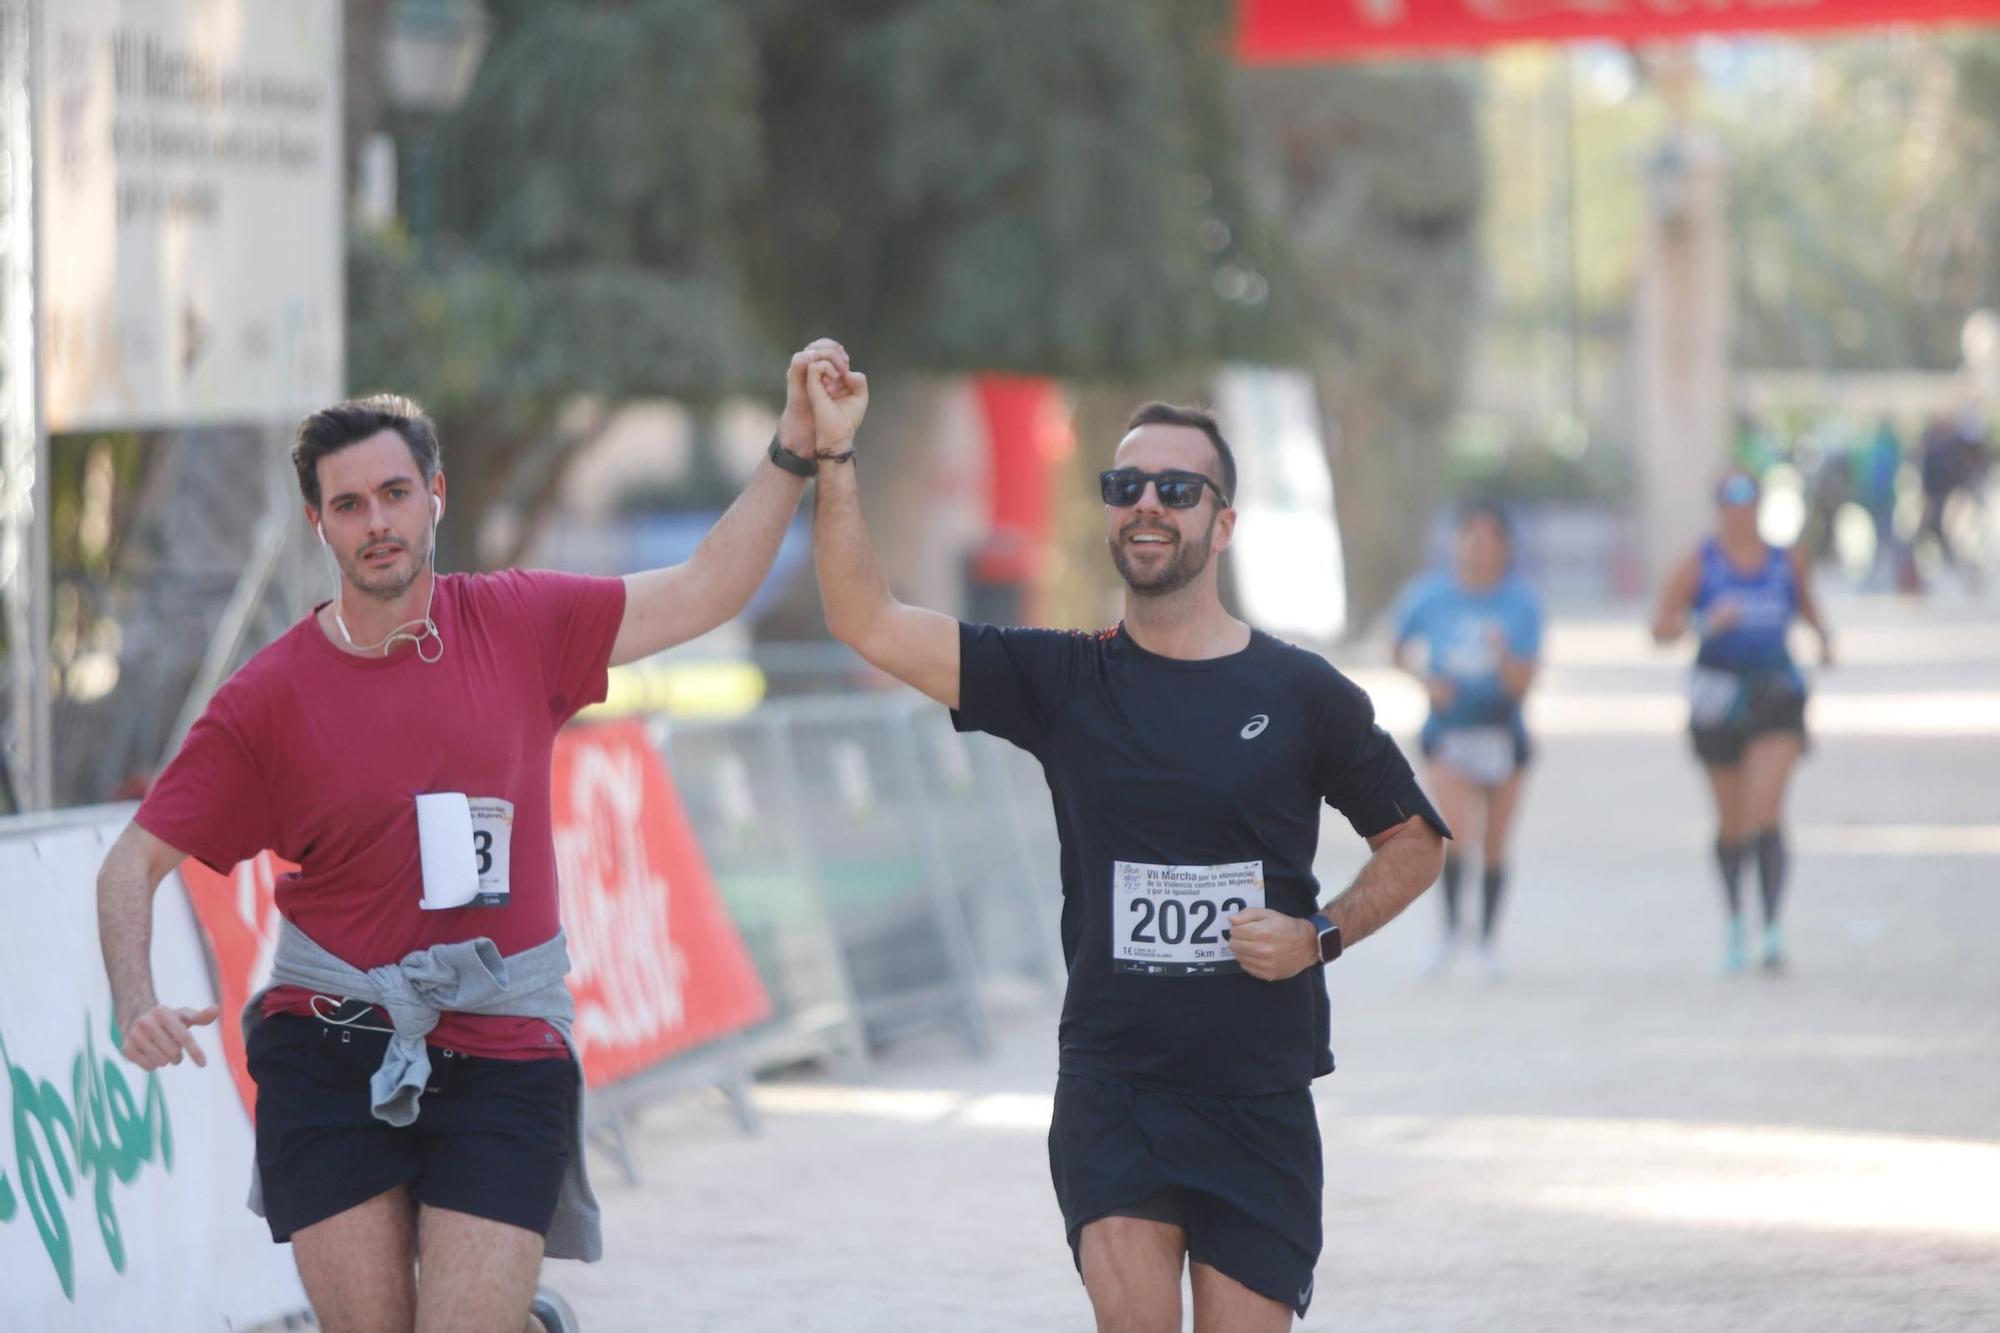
(1241, 1176)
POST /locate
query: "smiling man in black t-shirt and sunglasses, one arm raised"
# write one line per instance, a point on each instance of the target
(1187, 758)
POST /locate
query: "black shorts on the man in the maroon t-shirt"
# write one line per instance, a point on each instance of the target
(493, 1138)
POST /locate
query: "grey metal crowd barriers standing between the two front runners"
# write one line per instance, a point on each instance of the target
(879, 866)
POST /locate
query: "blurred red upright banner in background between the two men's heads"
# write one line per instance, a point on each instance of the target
(1027, 435)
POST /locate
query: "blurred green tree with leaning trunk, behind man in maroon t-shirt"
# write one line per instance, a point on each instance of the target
(595, 183)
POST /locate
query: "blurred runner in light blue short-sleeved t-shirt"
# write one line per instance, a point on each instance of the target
(1481, 627)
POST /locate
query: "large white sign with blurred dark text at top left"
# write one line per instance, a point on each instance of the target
(191, 211)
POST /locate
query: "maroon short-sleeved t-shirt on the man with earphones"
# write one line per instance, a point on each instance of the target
(321, 756)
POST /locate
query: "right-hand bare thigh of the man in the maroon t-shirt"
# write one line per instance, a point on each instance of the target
(475, 1276)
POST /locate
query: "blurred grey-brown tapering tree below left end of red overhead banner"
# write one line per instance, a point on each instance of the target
(1377, 179)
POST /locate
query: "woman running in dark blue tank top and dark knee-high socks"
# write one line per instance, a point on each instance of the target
(1747, 698)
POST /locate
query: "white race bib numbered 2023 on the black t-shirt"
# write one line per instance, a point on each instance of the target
(1169, 920)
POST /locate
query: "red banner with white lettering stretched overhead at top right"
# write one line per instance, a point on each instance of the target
(1299, 31)
